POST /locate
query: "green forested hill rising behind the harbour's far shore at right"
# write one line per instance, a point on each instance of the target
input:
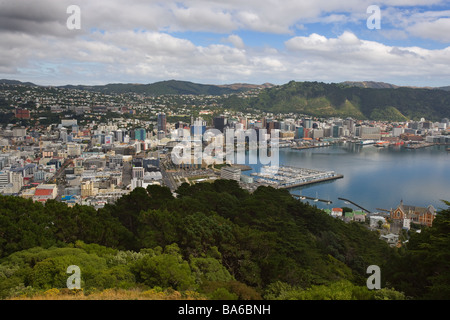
(344, 100)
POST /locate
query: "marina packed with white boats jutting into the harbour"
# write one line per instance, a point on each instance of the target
(290, 177)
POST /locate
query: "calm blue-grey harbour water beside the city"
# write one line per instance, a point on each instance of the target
(374, 178)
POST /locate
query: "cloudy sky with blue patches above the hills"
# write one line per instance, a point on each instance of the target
(404, 42)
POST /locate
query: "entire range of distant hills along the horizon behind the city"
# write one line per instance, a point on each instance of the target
(358, 99)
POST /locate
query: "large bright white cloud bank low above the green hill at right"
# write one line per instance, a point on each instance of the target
(349, 57)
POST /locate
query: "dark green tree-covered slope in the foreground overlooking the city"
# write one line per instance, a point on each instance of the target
(213, 241)
